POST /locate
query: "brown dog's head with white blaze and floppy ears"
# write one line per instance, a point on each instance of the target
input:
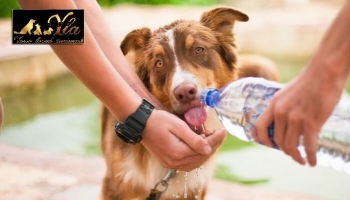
(176, 62)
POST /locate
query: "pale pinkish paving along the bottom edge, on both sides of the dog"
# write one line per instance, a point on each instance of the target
(35, 175)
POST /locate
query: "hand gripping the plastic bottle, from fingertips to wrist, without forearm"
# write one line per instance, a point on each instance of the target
(299, 109)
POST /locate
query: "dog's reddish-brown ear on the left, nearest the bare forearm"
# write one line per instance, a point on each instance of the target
(135, 40)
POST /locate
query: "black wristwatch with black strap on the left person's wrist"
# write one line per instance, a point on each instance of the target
(130, 130)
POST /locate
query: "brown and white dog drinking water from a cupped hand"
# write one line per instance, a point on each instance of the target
(175, 62)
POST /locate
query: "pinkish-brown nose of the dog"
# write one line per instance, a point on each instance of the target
(185, 92)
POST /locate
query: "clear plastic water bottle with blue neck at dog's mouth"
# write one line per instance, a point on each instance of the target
(240, 103)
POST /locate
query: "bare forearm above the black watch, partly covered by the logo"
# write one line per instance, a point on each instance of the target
(91, 66)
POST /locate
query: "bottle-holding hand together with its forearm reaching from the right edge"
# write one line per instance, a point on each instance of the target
(302, 107)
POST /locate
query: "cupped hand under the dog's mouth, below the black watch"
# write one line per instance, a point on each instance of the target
(175, 145)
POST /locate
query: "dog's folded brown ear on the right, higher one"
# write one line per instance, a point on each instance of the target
(222, 19)
